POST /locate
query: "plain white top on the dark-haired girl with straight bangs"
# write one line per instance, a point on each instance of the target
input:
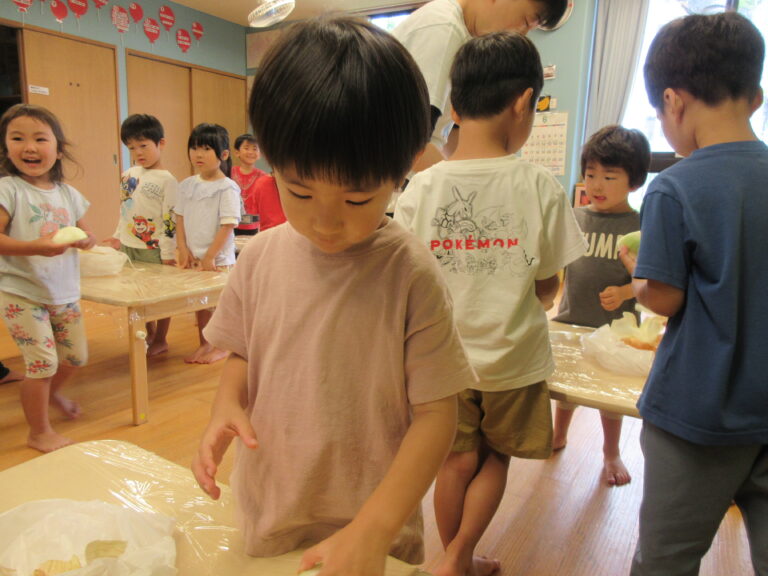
(205, 205)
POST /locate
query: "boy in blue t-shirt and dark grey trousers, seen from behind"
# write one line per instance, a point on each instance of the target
(703, 263)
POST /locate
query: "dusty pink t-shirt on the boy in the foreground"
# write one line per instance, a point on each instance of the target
(339, 346)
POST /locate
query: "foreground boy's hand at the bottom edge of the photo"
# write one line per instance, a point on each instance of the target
(349, 552)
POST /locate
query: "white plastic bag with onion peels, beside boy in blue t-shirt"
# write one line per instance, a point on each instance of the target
(606, 348)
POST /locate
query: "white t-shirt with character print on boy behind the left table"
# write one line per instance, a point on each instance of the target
(147, 219)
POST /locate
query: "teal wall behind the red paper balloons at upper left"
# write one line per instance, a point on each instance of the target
(222, 46)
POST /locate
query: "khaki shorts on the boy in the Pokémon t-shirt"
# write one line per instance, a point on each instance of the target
(513, 422)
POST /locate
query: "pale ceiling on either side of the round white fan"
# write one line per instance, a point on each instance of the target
(237, 10)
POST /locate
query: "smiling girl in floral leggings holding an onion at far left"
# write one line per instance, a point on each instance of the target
(40, 277)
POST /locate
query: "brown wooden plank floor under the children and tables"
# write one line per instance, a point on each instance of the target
(556, 517)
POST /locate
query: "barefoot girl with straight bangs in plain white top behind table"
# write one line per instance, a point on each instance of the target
(207, 211)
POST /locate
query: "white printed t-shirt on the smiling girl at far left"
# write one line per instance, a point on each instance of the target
(36, 212)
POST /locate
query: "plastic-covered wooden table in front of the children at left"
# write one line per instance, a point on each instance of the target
(151, 292)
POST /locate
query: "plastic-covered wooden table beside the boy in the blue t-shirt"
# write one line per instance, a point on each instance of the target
(579, 380)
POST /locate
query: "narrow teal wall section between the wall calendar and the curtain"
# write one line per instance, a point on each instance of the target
(570, 49)
